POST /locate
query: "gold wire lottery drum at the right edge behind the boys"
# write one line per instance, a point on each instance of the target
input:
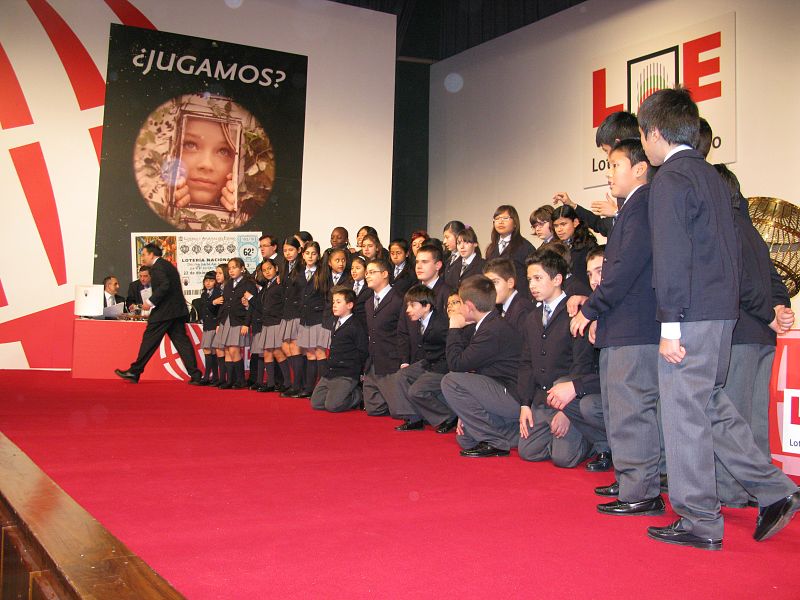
(778, 222)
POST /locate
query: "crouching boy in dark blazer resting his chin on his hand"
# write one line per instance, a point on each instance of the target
(482, 385)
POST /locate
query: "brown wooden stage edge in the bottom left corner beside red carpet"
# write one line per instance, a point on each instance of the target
(53, 548)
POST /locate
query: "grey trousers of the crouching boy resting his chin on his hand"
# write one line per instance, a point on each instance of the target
(488, 412)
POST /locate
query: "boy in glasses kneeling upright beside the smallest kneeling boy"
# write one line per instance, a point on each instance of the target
(382, 314)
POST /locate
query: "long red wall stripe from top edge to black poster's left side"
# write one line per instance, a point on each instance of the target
(87, 83)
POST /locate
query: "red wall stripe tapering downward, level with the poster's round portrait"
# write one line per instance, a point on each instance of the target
(35, 179)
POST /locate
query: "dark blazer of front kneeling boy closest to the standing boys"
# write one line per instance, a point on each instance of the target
(550, 353)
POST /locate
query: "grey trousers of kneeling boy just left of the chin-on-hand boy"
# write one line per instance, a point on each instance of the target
(422, 394)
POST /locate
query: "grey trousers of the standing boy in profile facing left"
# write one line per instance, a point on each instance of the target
(629, 387)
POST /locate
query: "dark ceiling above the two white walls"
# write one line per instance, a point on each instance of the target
(431, 30)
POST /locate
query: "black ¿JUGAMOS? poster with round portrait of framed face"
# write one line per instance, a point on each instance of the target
(198, 135)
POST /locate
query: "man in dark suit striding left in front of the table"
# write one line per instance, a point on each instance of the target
(168, 315)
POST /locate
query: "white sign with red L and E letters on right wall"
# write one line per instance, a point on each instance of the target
(701, 58)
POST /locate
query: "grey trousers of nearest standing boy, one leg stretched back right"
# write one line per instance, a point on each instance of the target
(701, 423)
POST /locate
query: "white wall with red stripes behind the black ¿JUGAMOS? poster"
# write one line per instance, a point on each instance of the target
(348, 137)
